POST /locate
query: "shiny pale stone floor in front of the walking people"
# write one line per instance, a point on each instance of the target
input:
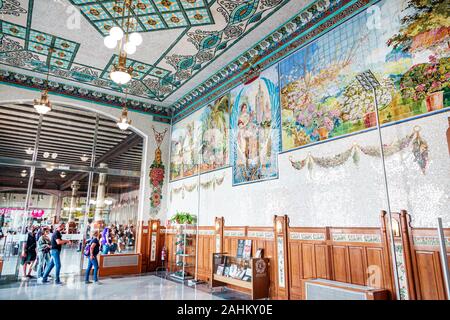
(147, 287)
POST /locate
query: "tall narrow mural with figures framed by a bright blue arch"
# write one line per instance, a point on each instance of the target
(255, 123)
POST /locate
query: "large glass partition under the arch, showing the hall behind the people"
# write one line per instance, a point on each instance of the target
(72, 166)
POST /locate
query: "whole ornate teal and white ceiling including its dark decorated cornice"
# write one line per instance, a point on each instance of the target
(192, 51)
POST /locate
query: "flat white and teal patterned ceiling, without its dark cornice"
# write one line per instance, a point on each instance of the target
(181, 39)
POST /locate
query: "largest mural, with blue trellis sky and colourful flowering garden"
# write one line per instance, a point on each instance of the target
(320, 96)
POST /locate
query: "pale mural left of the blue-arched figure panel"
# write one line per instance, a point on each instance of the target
(202, 142)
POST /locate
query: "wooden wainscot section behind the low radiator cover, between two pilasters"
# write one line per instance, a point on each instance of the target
(350, 255)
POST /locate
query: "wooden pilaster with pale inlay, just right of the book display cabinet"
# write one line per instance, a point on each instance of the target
(281, 256)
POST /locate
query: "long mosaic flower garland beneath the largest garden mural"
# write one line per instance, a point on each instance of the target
(419, 151)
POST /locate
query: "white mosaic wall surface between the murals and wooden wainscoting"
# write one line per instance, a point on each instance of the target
(346, 196)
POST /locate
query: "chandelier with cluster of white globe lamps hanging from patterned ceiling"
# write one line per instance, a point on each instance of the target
(126, 39)
